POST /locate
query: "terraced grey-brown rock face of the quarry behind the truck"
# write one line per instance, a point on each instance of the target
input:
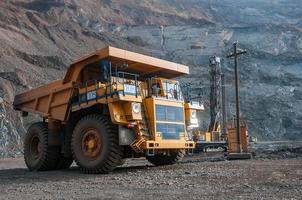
(40, 38)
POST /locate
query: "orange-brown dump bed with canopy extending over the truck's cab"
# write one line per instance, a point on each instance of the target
(52, 100)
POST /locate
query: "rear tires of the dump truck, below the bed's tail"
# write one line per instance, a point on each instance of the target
(38, 155)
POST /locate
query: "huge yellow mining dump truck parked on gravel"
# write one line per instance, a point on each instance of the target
(111, 105)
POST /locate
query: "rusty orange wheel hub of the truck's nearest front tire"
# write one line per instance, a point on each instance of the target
(91, 143)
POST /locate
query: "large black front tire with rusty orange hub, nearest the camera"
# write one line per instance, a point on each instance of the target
(95, 145)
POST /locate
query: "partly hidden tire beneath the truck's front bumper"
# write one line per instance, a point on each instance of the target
(166, 159)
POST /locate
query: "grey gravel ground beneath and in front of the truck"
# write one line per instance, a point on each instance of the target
(202, 176)
